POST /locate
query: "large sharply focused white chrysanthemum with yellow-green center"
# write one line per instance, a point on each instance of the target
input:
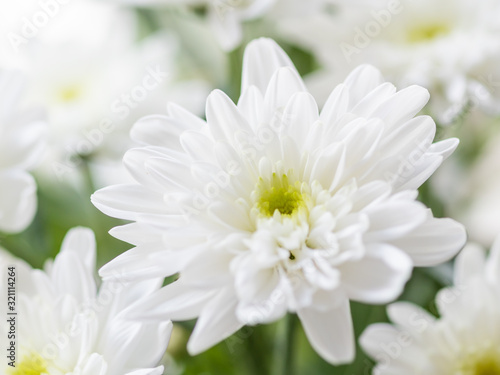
(270, 206)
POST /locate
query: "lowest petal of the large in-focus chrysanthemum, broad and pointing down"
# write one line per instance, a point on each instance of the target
(330, 332)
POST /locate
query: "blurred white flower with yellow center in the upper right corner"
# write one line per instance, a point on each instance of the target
(451, 47)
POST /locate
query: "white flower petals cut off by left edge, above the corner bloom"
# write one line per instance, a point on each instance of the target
(21, 145)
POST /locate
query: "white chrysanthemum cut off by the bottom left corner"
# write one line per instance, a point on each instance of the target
(68, 326)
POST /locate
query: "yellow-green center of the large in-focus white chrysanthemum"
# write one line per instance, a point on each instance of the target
(279, 195)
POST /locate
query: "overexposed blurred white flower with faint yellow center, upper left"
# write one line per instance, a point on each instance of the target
(94, 77)
